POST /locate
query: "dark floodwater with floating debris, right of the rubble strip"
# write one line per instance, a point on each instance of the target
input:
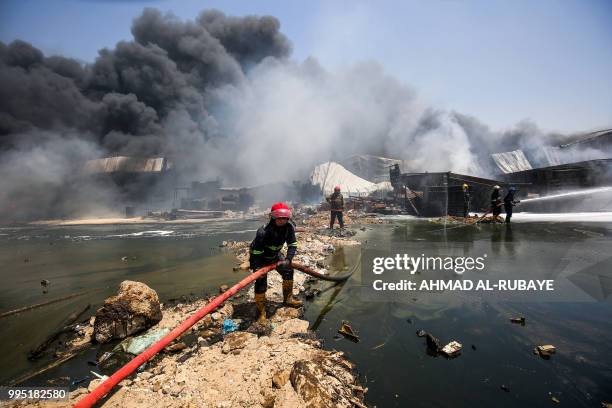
(399, 372)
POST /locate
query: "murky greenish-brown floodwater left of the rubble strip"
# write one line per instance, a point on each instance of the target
(175, 260)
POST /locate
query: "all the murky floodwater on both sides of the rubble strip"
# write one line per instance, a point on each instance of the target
(392, 361)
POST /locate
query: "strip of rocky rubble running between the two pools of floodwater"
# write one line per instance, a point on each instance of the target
(227, 359)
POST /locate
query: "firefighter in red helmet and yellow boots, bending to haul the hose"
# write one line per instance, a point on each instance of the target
(265, 250)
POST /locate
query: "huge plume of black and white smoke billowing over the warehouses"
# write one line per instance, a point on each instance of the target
(220, 97)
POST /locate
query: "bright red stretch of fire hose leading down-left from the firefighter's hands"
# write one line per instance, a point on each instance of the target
(101, 390)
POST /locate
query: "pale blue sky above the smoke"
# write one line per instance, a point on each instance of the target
(502, 61)
